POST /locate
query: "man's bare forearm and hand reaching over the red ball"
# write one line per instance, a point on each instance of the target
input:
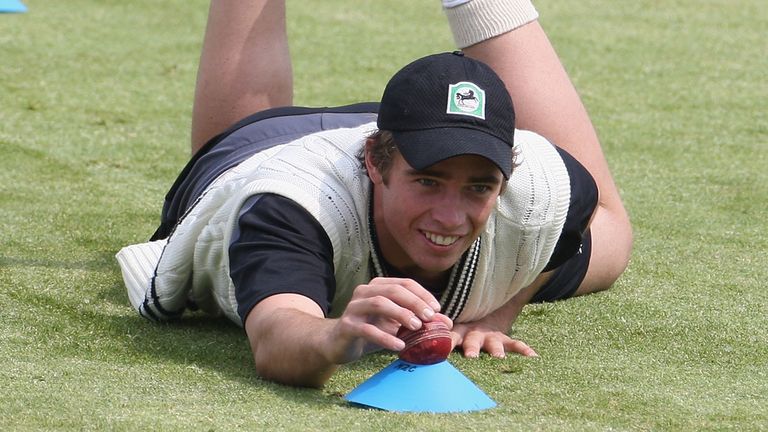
(292, 343)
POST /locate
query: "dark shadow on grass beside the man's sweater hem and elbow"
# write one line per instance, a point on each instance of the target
(91, 320)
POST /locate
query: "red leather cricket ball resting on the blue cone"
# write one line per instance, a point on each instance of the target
(429, 344)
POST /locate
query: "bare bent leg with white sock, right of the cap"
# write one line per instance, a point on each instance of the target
(547, 102)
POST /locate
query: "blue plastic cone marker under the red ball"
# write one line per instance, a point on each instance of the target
(406, 387)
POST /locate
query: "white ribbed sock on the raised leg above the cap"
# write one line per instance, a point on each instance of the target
(474, 21)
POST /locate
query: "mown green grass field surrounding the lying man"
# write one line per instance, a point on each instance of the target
(95, 104)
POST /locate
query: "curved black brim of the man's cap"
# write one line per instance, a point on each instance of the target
(426, 147)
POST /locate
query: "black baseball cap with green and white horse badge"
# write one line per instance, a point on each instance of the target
(446, 105)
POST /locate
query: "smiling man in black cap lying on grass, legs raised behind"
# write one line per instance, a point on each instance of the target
(323, 231)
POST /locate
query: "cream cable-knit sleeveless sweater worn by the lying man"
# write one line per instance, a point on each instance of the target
(321, 173)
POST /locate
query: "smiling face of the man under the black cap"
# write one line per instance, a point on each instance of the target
(426, 219)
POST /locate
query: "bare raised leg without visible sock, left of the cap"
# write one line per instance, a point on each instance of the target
(245, 65)
